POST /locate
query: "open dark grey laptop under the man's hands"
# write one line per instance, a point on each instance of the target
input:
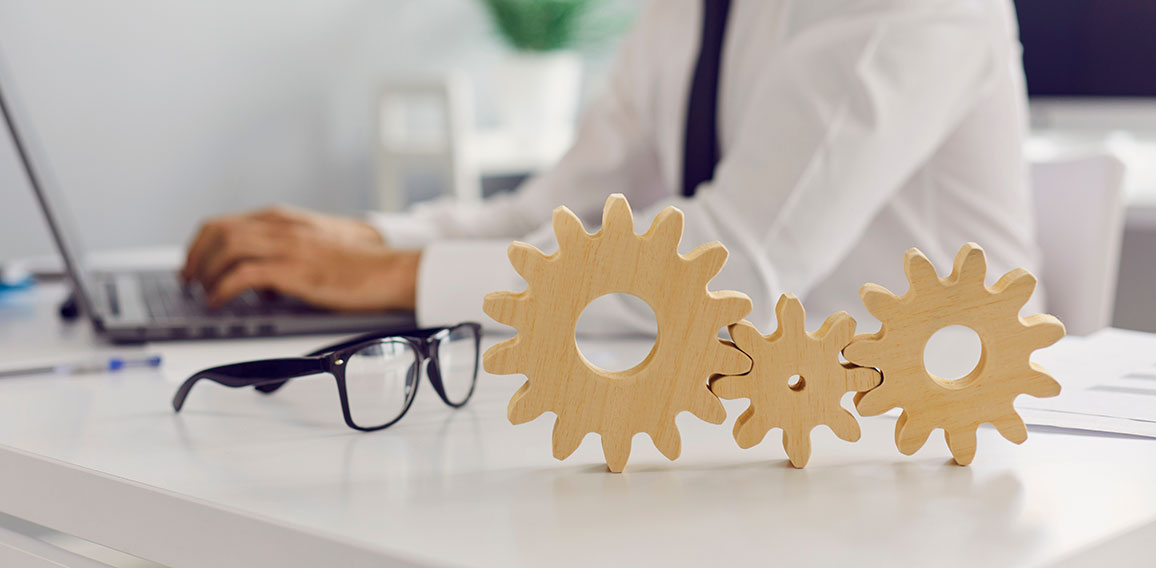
(150, 306)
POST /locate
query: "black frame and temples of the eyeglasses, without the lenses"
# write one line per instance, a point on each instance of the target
(271, 374)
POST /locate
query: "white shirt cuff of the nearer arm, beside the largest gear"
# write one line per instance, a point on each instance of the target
(455, 277)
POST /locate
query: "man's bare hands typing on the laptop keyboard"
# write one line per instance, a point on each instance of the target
(325, 261)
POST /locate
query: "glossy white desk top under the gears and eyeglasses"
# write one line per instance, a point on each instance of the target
(241, 480)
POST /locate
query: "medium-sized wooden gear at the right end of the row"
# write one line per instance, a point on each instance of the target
(985, 395)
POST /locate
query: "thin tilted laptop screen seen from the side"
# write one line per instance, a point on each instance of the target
(32, 159)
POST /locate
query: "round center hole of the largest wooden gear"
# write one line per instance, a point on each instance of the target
(596, 340)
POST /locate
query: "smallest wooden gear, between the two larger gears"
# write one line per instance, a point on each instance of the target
(813, 360)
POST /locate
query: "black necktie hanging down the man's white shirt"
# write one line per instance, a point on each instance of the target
(701, 146)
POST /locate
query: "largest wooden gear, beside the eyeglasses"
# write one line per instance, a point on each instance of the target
(617, 404)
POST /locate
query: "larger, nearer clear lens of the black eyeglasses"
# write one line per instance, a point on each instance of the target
(381, 380)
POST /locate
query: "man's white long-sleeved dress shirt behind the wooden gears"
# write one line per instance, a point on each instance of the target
(850, 131)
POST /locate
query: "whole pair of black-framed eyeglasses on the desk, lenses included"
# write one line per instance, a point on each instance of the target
(377, 375)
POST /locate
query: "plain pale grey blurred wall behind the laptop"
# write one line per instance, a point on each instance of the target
(157, 115)
